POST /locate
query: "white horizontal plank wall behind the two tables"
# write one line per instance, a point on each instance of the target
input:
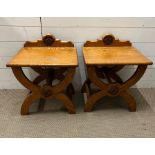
(15, 31)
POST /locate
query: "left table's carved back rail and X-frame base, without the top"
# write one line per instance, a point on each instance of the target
(47, 91)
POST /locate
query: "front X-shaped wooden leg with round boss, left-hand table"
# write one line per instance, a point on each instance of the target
(46, 91)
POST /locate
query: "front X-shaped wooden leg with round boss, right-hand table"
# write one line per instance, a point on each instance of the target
(117, 88)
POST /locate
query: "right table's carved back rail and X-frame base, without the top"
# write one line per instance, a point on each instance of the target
(115, 86)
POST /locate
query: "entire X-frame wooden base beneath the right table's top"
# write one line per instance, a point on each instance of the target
(112, 89)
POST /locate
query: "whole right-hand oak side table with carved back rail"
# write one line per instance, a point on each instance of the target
(103, 59)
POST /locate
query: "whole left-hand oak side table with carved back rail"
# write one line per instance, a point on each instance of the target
(52, 59)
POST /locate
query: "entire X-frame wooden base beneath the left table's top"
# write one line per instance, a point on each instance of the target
(47, 91)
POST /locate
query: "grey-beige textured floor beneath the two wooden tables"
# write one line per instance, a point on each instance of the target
(110, 117)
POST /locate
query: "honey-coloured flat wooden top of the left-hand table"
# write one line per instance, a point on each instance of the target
(45, 56)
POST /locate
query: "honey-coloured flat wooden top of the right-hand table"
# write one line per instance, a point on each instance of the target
(125, 55)
